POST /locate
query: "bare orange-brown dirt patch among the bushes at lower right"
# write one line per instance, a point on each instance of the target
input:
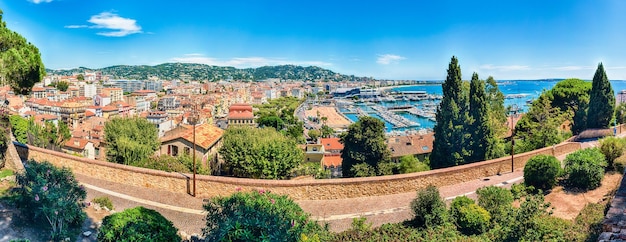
(567, 204)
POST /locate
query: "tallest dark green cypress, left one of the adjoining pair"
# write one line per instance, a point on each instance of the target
(448, 147)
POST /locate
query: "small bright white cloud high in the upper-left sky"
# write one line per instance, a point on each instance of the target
(115, 25)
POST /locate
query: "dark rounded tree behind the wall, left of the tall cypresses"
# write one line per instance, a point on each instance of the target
(364, 142)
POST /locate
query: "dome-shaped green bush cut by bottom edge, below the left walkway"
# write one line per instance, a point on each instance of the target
(137, 224)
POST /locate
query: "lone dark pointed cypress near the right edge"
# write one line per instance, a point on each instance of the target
(601, 100)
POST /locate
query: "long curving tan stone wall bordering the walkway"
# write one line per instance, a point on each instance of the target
(208, 186)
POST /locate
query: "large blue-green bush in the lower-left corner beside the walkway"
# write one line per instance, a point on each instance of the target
(52, 196)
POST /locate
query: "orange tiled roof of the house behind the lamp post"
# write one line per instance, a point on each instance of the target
(206, 135)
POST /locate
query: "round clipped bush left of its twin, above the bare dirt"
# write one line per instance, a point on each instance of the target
(542, 171)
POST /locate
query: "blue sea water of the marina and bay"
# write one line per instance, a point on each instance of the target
(519, 93)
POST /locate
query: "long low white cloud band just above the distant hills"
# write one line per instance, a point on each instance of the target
(243, 62)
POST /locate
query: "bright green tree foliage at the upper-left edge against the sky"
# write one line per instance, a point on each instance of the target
(20, 61)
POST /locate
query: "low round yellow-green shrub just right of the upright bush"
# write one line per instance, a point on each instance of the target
(473, 219)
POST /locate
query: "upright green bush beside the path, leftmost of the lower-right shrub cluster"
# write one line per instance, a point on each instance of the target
(428, 208)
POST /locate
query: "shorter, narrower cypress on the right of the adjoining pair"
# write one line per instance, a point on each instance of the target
(481, 136)
